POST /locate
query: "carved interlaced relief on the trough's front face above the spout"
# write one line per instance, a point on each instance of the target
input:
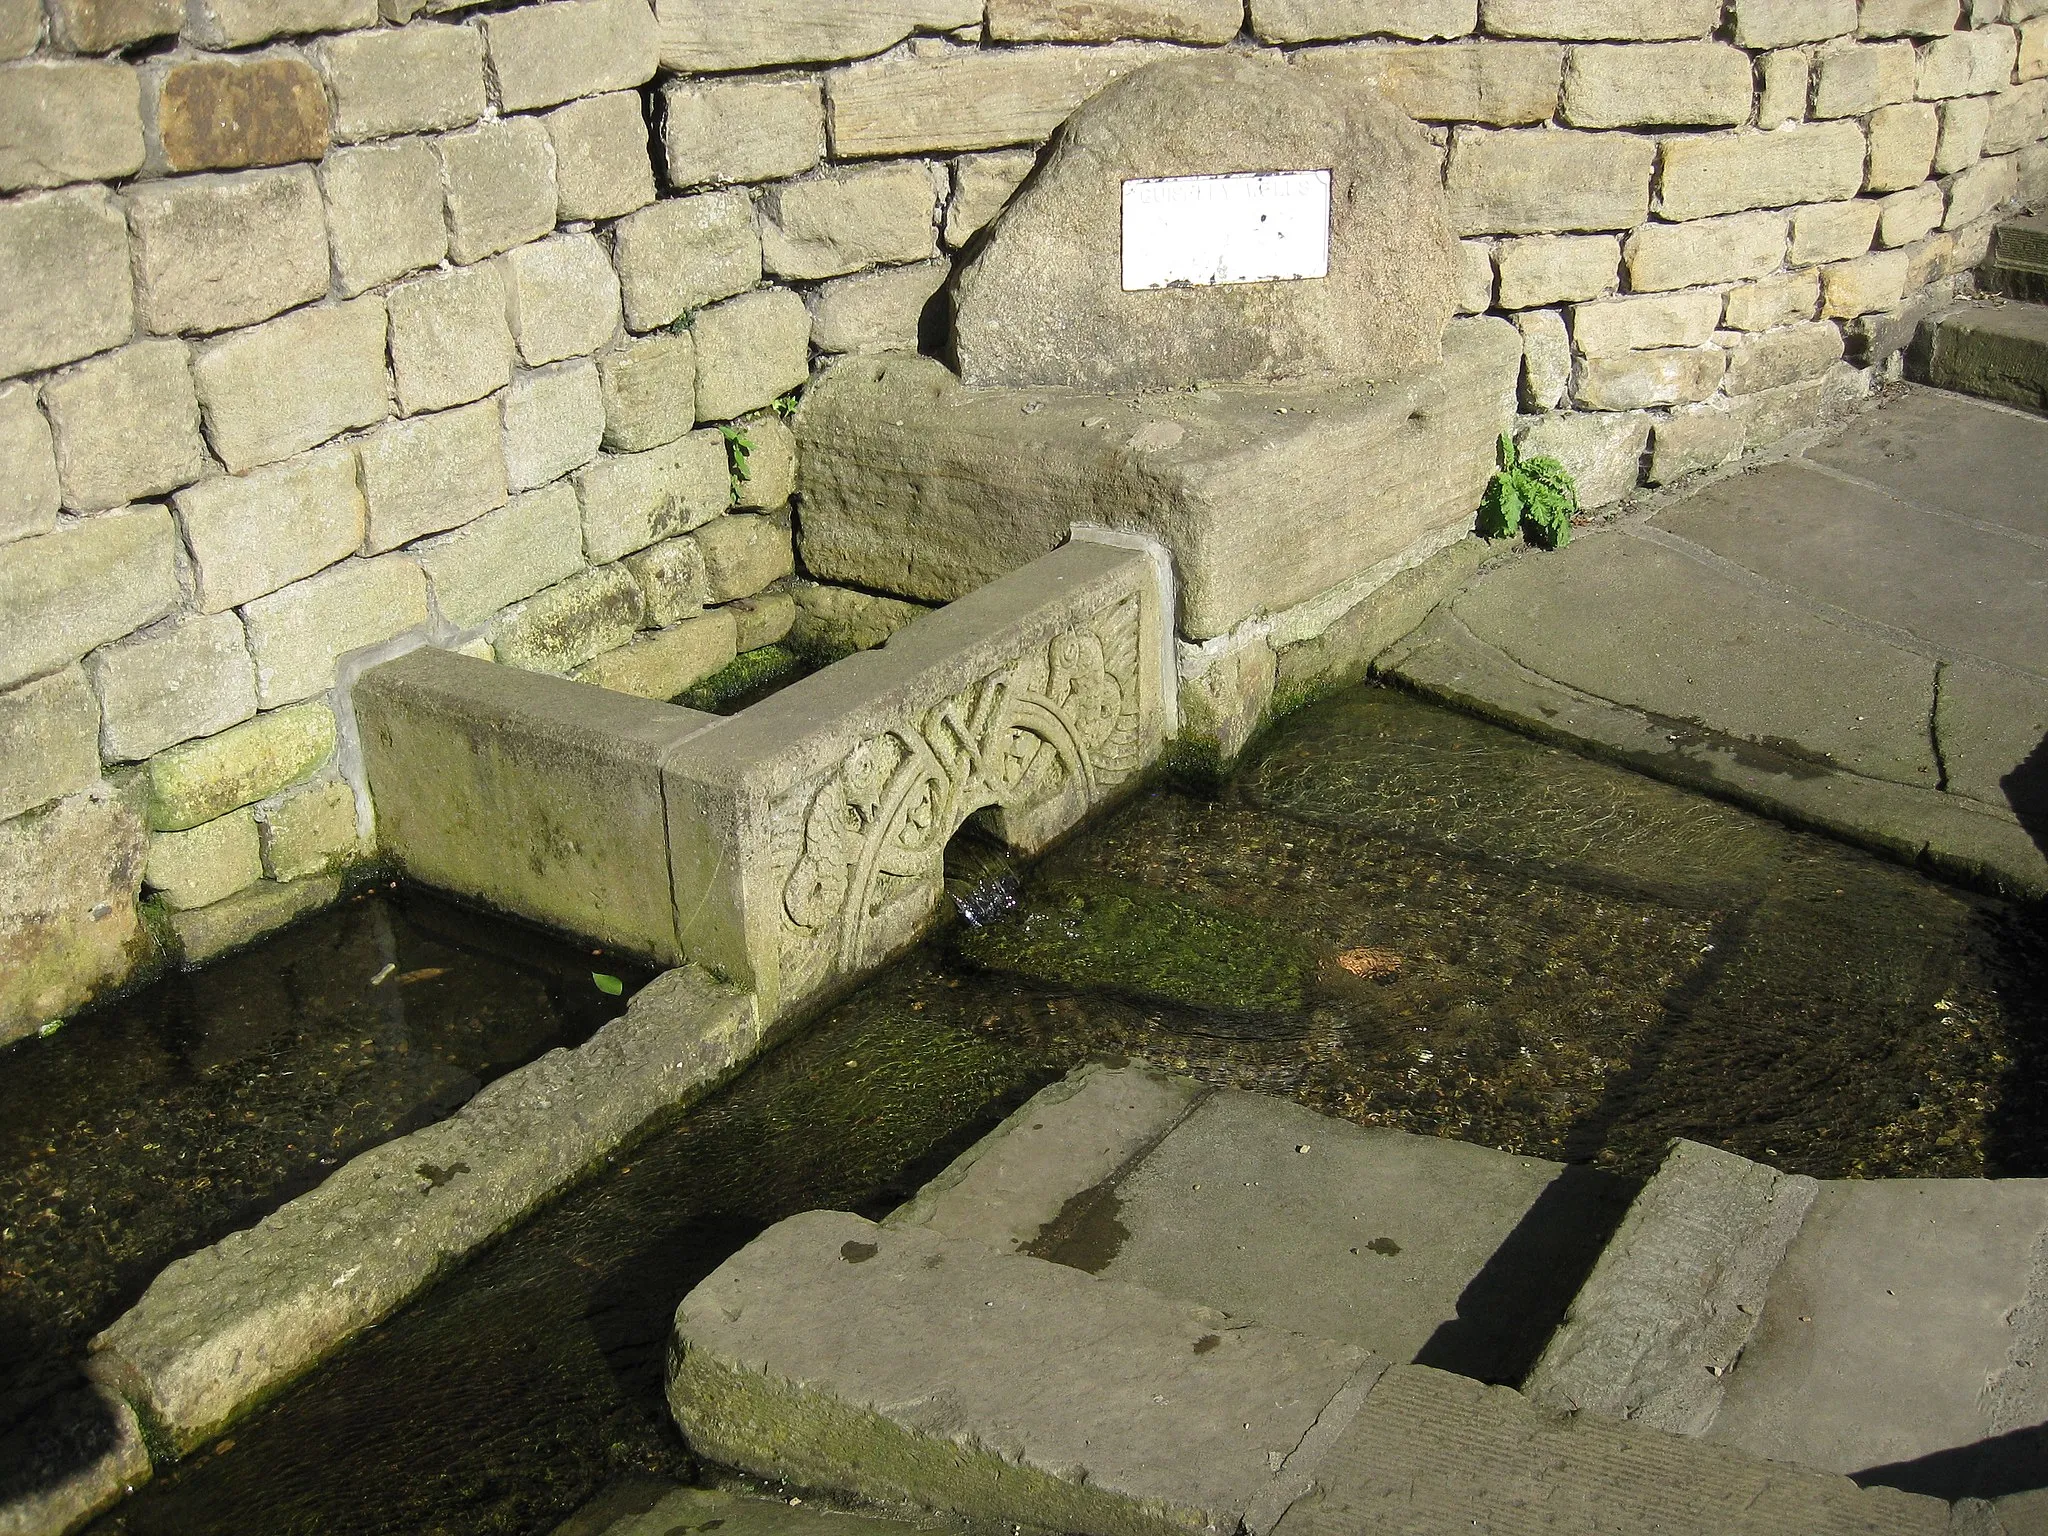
(1062, 720)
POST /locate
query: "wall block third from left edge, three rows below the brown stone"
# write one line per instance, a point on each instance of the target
(431, 474)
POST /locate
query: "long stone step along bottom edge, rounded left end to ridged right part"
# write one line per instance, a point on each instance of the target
(908, 1367)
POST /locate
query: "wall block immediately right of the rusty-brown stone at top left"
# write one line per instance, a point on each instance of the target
(421, 79)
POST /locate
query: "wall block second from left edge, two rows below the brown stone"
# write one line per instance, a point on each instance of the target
(126, 427)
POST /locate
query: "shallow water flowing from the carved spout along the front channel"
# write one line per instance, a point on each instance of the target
(1392, 912)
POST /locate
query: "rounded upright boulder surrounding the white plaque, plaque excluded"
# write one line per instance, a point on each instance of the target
(1046, 302)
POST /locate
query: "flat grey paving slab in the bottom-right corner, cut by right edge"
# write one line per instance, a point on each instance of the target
(1902, 1324)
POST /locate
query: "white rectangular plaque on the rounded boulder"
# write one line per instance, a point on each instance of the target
(1207, 230)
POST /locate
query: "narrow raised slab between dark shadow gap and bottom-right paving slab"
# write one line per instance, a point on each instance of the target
(1678, 1293)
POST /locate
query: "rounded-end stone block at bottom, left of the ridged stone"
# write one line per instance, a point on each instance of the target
(923, 1369)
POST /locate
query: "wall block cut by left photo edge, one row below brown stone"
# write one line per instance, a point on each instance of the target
(71, 251)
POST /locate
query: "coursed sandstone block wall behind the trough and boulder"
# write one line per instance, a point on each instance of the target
(329, 327)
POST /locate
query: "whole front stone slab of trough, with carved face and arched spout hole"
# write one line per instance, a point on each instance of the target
(808, 835)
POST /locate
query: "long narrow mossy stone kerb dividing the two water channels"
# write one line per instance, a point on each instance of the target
(237, 1322)
